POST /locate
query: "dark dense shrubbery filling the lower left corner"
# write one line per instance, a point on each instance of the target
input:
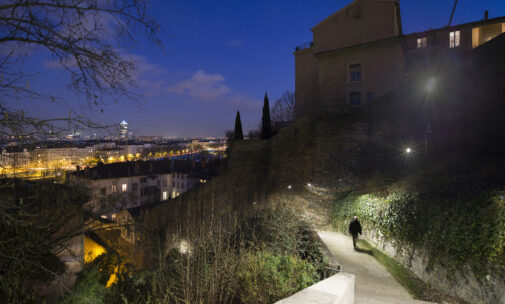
(36, 222)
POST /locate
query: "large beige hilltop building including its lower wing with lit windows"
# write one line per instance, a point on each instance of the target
(360, 53)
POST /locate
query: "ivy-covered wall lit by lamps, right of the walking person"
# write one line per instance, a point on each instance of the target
(455, 222)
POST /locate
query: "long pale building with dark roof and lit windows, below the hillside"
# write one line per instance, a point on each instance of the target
(120, 186)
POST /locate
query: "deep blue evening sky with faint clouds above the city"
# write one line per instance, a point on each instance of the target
(220, 56)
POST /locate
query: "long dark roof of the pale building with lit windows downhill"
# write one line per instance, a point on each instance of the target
(147, 168)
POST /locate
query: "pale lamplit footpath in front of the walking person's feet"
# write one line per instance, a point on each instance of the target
(374, 285)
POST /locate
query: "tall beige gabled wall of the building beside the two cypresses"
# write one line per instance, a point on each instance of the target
(365, 32)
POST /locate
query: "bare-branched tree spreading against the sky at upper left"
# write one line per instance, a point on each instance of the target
(87, 38)
